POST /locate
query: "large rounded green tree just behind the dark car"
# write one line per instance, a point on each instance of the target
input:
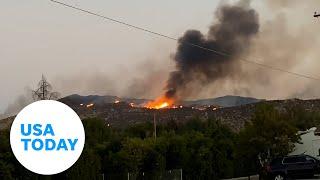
(269, 134)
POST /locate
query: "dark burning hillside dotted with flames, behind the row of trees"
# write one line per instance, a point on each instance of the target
(122, 114)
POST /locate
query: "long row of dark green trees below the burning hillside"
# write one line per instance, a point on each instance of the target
(203, 149)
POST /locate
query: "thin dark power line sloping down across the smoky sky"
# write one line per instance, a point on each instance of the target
(188, 43)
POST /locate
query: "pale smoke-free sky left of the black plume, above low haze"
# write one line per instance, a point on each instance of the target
(38, 36)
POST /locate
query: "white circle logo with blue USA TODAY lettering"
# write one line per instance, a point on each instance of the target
(47, 137)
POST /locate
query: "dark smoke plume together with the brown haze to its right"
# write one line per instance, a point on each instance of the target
(277, 42)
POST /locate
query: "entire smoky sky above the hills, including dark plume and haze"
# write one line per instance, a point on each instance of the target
(106, 59)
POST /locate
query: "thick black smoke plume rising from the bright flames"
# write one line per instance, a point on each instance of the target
(235, 27)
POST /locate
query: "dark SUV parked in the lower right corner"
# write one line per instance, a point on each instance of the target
(293, 166)
